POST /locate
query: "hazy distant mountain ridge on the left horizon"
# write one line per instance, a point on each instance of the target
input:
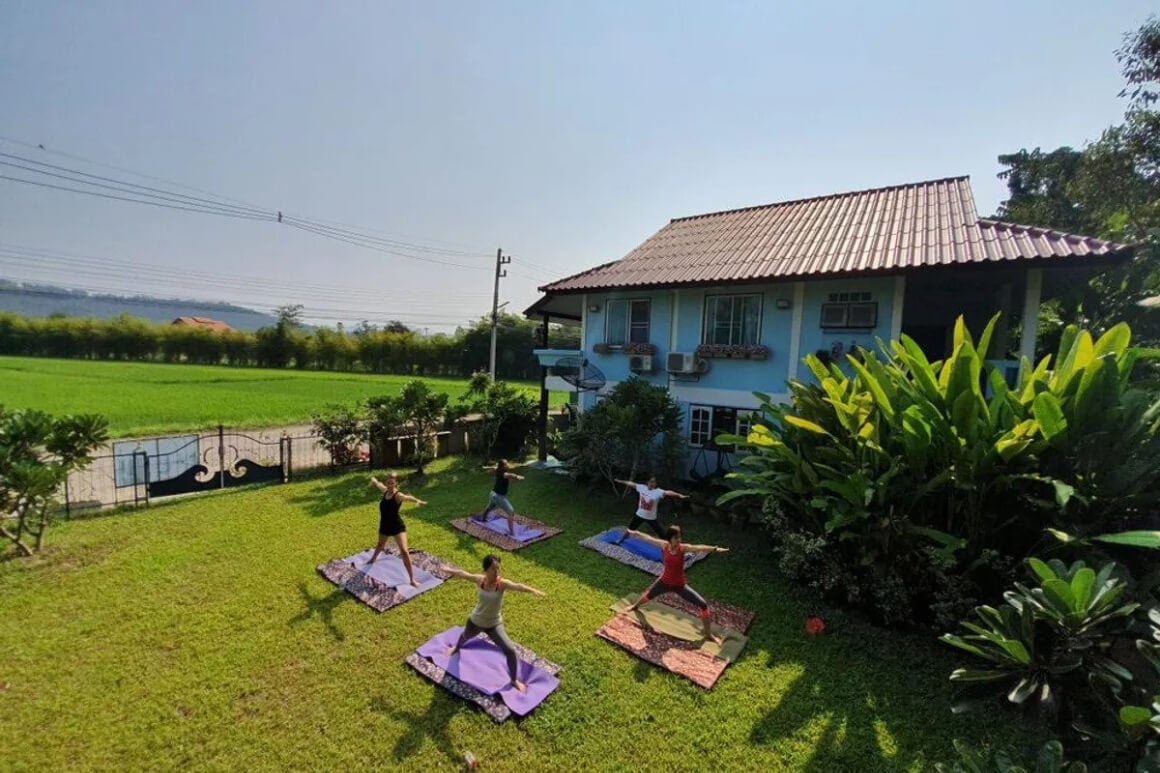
(45, 300)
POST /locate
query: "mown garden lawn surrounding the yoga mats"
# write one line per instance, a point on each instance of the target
(199, 635)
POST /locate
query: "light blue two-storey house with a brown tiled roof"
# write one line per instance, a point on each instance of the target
(716, 307)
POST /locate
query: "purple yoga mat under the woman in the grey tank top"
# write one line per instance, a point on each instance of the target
(483, 666)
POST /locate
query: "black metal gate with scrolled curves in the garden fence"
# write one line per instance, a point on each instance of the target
(224, 461)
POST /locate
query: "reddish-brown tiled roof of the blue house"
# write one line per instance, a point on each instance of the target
(882, 230)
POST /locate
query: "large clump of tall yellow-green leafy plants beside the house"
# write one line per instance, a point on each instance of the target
(922, 478)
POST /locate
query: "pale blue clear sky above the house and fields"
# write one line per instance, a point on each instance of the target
(564, 134)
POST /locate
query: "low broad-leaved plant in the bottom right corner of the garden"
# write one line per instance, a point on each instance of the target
(1072, 648)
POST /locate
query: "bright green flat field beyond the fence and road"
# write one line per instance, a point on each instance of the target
(143, 399)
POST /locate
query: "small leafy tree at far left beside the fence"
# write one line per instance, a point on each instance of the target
(38, 452)
